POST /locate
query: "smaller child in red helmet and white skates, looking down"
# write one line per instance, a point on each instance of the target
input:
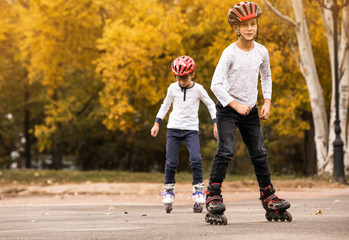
(183, 125)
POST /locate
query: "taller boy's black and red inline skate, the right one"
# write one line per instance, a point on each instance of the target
(274, 206)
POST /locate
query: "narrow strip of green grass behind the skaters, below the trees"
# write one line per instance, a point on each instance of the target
(44, 177)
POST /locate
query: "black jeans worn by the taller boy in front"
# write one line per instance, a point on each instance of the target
(250, 129)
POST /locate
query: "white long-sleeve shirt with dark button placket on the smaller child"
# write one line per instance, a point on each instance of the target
(184, 115)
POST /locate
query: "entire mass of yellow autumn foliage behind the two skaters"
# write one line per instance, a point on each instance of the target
(122, 50)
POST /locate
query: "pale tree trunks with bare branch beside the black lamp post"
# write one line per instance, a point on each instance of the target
(324, 135)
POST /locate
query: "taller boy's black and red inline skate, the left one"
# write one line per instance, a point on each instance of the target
(215, 205)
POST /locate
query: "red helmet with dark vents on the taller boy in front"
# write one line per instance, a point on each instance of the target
(243, 11)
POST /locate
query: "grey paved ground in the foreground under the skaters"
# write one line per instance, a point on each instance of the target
(149, 221)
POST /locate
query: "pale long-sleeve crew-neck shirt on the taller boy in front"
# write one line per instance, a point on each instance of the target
(236, 75)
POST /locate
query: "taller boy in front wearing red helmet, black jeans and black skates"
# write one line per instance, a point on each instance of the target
(234, 83)
